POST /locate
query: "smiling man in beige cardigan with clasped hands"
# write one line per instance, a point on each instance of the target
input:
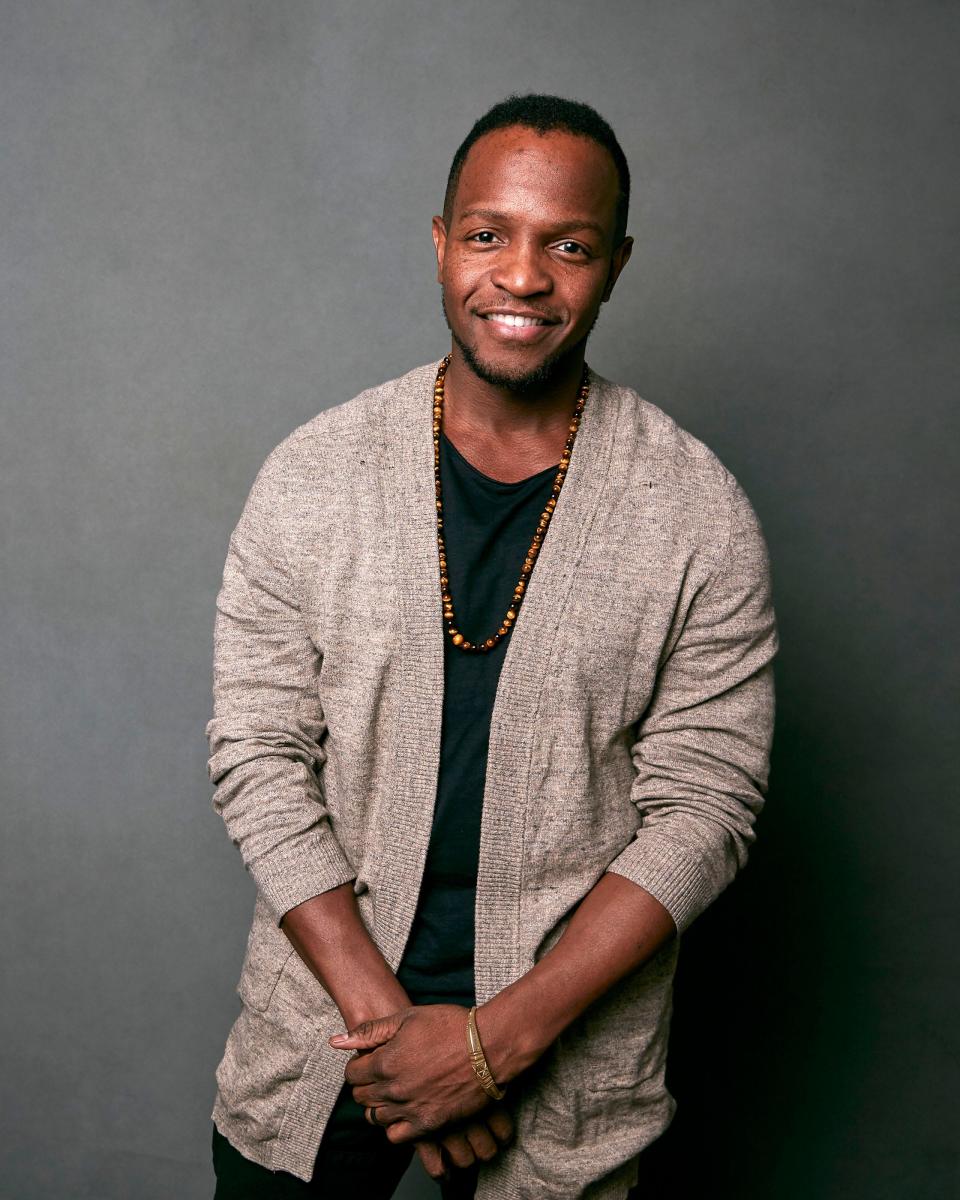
(494, 704)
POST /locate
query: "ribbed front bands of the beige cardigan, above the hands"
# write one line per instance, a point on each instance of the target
(421, 680)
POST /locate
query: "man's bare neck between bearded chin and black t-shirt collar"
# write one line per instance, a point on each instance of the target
(500, 413)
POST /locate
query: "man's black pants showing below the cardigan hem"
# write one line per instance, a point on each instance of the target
(356, 1162)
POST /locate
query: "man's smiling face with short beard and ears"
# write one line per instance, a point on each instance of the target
(529, 257)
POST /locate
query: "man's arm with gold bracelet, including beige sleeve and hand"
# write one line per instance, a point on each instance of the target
(701, 757)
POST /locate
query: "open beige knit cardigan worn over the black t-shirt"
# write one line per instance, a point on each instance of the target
(632, 733)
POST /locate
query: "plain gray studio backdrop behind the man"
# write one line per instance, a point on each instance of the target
(215, 223)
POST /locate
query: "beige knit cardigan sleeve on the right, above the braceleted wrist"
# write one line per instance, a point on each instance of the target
(703, 747)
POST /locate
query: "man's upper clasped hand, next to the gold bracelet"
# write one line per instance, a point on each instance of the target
(418, 1075)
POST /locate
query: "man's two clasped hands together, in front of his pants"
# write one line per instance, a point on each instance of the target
(415, 1071)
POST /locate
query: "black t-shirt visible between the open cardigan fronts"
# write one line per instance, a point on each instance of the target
(488, 530)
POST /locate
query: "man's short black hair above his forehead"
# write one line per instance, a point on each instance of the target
(547, 115)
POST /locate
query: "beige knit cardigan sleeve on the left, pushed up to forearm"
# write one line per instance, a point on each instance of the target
(266, 735)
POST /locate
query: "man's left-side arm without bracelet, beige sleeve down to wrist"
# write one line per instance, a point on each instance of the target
(266, 742)
